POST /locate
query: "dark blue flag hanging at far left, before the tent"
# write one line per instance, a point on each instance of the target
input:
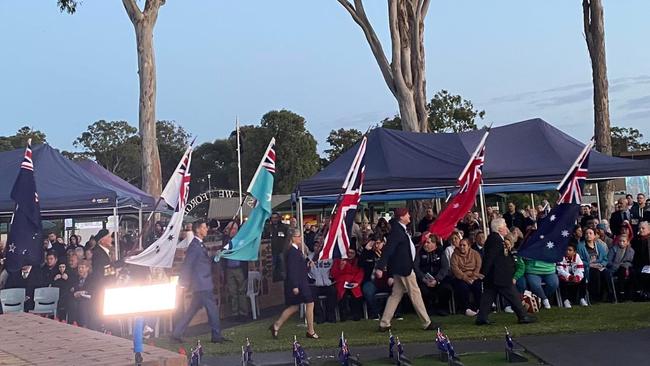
(24, 243)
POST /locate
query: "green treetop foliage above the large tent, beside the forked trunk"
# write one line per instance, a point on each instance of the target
(447, 113)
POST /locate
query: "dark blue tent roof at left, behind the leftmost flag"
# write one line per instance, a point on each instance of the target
(64, 188)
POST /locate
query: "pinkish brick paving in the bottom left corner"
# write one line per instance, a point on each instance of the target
(27, 339)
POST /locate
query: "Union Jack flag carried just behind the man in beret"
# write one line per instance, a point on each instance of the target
(337, 240)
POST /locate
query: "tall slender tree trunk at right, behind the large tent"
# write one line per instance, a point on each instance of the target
(594, 29)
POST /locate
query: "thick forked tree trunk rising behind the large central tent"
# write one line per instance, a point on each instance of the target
(405, 74)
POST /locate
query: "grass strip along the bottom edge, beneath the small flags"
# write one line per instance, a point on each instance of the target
(470, 359)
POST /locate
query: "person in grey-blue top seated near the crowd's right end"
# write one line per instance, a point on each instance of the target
(619, 265)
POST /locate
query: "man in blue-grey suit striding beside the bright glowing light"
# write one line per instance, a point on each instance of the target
(196, 275)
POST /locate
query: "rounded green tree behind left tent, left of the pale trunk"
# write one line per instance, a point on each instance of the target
(114, 145)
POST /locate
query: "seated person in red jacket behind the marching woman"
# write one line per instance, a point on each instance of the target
(348, 277)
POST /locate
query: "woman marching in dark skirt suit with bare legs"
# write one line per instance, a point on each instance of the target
(296, 287)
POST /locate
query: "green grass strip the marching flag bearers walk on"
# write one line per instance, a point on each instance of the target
(611, 317)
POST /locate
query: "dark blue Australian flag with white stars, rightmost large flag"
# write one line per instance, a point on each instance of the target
(550, 241)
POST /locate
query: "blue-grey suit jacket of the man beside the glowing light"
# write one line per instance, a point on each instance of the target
(196, 273)
